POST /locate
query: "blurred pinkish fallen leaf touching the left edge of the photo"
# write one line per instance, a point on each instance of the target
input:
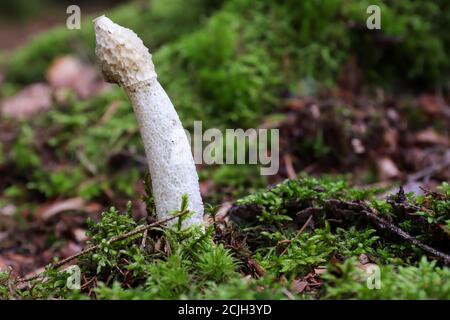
(27, 102)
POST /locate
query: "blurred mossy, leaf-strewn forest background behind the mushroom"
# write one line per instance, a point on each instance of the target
(370, 106)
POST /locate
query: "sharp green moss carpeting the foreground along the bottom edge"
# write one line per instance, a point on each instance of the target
(188, 263)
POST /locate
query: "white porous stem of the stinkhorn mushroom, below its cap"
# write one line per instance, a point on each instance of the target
(168, 152)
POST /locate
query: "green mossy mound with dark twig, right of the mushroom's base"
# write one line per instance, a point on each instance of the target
(281, 250)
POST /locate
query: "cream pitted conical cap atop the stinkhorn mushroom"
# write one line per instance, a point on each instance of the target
(123, 57)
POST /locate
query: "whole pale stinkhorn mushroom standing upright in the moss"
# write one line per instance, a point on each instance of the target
(125, 60)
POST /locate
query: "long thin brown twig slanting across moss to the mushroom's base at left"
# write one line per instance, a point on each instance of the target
(123, 236)
